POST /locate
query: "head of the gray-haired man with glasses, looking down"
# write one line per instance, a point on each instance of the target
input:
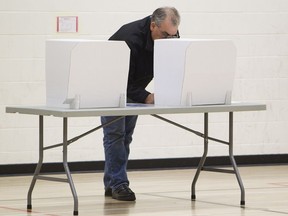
(164, 23)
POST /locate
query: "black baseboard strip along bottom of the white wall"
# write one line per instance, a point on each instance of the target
(169, 163)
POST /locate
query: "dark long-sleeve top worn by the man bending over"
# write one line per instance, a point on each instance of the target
(137, 35)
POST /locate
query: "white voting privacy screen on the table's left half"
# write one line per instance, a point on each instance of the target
(86, 73)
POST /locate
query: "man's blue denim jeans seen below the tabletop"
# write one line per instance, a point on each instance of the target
(117, 139)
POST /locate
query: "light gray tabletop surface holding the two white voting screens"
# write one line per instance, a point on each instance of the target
(133, 109)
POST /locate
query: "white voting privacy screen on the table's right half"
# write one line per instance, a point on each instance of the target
(191, 72)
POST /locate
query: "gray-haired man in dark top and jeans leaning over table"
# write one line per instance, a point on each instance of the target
(139, 36)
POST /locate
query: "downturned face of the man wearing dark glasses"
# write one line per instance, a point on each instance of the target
(165, 30)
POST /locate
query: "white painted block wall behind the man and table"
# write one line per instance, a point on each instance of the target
(259, 29)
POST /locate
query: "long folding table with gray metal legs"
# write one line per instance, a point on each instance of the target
(133, 109)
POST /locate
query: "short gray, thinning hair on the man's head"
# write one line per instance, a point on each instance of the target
(160, 14)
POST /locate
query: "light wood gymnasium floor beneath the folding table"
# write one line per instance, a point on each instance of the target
(161, 192)
